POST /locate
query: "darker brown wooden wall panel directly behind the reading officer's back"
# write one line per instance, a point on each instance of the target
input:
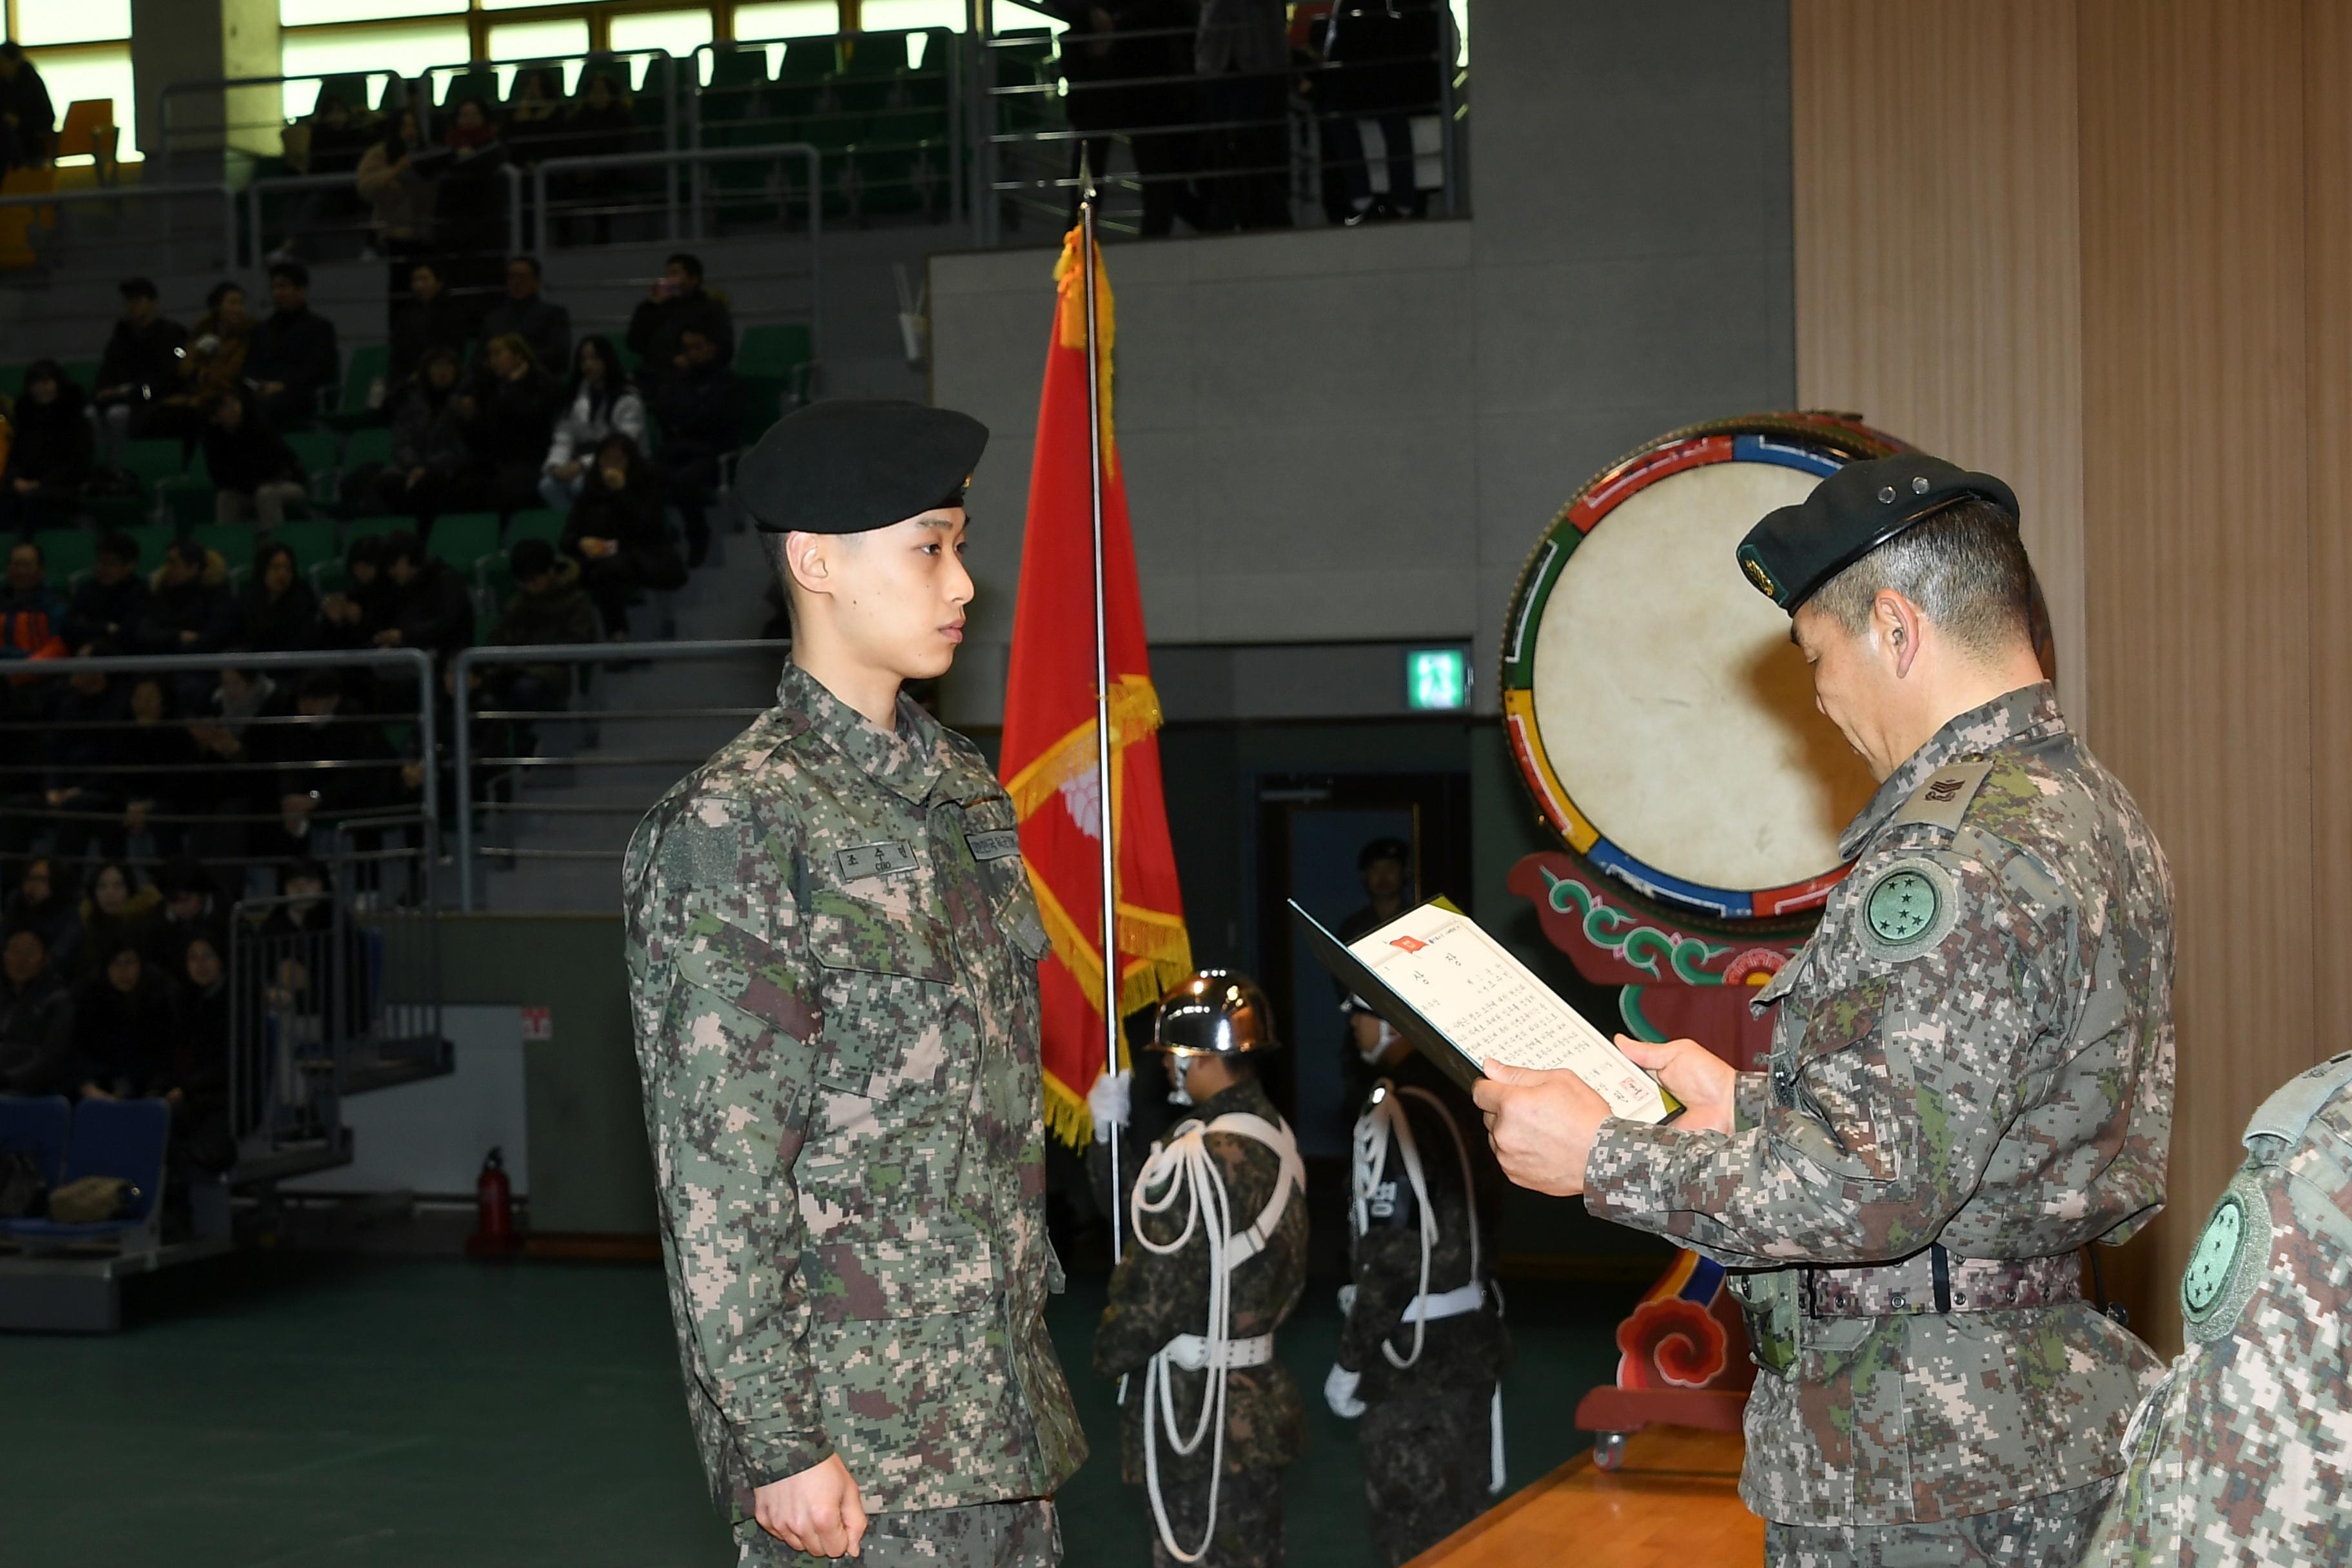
(2198, 532)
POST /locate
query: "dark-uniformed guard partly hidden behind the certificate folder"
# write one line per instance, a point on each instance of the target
(1424, 1346)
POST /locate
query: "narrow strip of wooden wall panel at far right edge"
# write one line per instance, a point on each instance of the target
(2327, 227)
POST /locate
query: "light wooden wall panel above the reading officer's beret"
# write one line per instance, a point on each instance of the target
(1939, 253)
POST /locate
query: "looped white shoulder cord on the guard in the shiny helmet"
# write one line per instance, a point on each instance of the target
(1189, 1170)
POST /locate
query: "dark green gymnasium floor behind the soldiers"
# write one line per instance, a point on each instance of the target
(380, 1414)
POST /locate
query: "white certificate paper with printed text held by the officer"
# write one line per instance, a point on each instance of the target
(1490, 1005)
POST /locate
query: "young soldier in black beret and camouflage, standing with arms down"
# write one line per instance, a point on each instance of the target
(834, 956)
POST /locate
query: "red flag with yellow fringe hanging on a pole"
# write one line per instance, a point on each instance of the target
(1050, 744)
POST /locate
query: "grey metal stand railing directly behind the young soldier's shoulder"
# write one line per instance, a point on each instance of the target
(479, 775)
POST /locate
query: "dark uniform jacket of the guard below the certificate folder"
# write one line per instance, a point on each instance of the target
(1384, 1254)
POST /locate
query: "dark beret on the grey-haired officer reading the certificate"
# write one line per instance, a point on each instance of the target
(1852, 514)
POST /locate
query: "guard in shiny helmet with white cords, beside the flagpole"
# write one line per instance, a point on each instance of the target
(1217, 1259)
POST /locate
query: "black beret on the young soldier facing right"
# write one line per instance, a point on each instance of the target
(848, 467)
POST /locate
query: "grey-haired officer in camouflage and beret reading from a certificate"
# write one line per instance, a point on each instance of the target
(1972, 1071)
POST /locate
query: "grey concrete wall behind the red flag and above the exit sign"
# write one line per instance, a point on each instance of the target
(1358, 434)
